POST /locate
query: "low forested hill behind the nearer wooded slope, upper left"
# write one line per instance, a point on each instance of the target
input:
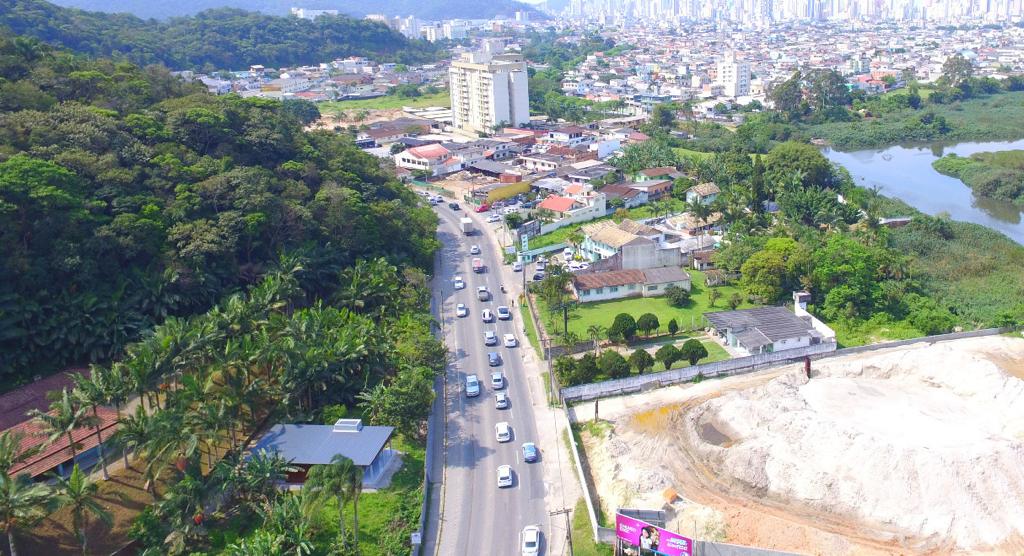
(221, 39)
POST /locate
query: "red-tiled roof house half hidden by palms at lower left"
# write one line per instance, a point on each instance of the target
(15, 407)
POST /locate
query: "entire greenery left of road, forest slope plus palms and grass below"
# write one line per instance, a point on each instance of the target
(224, 271)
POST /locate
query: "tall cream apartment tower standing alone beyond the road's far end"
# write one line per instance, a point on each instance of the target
(488, 91)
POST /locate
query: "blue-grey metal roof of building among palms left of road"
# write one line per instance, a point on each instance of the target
(316, 445)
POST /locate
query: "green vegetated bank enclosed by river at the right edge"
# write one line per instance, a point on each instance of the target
(997, 176)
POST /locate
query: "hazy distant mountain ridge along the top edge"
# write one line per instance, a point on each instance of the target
(424, 10)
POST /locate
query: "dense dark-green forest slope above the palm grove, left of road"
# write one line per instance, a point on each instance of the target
(129, 197)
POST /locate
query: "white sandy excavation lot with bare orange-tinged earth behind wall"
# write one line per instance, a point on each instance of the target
(917, 450)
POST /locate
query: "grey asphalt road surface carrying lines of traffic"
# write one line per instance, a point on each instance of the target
(478, 518)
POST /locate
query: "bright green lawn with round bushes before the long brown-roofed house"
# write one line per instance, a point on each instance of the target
(604, 313)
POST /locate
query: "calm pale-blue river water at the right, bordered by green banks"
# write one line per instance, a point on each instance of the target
(907, 174)
